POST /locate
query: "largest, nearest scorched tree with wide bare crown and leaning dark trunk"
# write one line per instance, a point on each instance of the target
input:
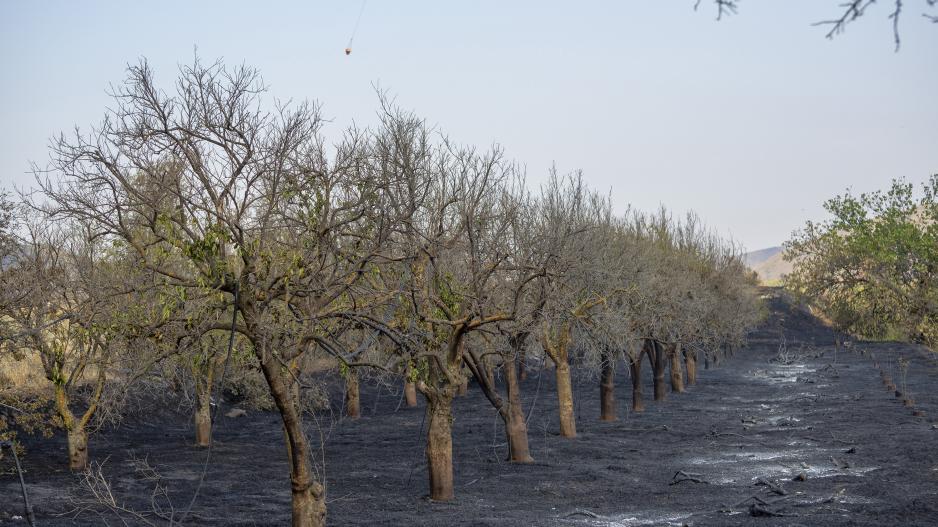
(215, 194)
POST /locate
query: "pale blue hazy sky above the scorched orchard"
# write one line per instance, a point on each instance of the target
(752, 121)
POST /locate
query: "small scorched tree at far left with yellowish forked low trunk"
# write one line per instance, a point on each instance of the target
(70, 316)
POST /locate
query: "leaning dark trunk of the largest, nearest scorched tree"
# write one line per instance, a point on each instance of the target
(308, 497)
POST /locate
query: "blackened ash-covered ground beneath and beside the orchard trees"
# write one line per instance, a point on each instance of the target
(742, 436)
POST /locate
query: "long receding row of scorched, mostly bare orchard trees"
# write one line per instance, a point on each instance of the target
(395, 254)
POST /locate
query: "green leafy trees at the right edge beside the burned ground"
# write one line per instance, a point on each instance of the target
(872, 267)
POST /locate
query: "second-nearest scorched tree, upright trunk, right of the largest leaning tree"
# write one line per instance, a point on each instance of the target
(454, 255)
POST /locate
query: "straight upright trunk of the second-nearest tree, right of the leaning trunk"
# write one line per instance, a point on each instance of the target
(440, 447)
